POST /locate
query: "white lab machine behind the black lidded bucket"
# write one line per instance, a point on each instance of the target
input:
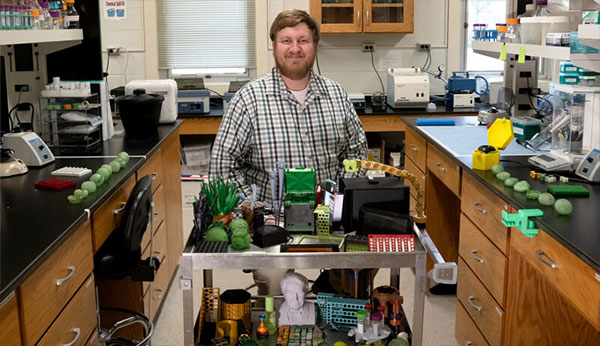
(165, 87)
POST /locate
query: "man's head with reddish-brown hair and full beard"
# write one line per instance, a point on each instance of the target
(295, 37)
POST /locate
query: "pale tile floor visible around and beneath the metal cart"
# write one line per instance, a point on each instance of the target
(439, 309)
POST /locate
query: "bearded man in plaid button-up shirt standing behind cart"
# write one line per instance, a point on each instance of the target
(288, 114)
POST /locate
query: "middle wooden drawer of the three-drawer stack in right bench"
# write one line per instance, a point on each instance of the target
(484, 259)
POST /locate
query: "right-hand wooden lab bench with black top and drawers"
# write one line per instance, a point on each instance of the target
(511, 289)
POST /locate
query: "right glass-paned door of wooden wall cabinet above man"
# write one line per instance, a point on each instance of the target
(388, 16)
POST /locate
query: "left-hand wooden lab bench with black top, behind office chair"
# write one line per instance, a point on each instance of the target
(47, 244)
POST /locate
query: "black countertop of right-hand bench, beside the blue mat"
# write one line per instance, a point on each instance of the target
(579, 232)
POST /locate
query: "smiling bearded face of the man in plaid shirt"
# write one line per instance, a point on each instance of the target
(294, 51)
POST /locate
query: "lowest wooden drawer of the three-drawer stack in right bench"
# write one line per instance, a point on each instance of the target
(479, 304)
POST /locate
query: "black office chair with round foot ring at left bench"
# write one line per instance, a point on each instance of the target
(120, 257)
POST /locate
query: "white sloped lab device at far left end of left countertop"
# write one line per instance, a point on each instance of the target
(29, 147)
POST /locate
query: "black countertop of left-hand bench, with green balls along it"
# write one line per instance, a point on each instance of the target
(34, 223)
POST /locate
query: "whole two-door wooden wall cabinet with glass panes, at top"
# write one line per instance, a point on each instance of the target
(372, 16)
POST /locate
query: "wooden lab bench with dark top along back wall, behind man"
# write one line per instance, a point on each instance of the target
(372, 120)
